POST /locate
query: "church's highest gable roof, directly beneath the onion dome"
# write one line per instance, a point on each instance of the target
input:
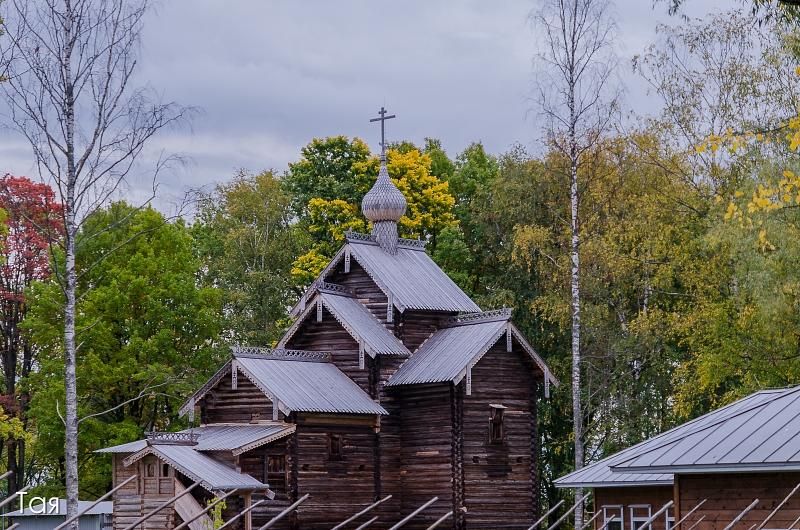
(410, 278)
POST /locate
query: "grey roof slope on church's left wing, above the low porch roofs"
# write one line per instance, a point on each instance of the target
(301, 384)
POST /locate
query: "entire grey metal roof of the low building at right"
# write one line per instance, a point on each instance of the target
(755, 432)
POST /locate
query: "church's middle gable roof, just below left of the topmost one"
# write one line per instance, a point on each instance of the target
(356, 319)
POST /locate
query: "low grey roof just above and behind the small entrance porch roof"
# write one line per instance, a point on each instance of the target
(239, 438)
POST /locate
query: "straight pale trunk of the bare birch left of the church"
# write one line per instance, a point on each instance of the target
(71, 231)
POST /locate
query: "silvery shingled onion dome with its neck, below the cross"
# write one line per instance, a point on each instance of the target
(384, 205)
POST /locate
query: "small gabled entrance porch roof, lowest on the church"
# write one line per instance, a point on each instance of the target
(212, 474)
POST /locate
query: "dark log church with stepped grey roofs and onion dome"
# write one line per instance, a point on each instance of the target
(391, 381)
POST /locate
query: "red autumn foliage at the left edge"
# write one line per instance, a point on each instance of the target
(34, 220)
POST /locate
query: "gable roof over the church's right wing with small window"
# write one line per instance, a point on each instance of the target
(449, 353)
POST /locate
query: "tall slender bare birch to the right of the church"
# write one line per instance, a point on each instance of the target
(577, 102)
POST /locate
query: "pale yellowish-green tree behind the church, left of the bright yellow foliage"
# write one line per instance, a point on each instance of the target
(246, 240)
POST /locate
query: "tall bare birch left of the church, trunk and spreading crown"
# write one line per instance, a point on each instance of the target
(68, 84)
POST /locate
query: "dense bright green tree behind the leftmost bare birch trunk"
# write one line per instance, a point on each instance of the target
(149, 335)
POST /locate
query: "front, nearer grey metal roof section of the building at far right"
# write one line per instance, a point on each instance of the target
(759, 433)
